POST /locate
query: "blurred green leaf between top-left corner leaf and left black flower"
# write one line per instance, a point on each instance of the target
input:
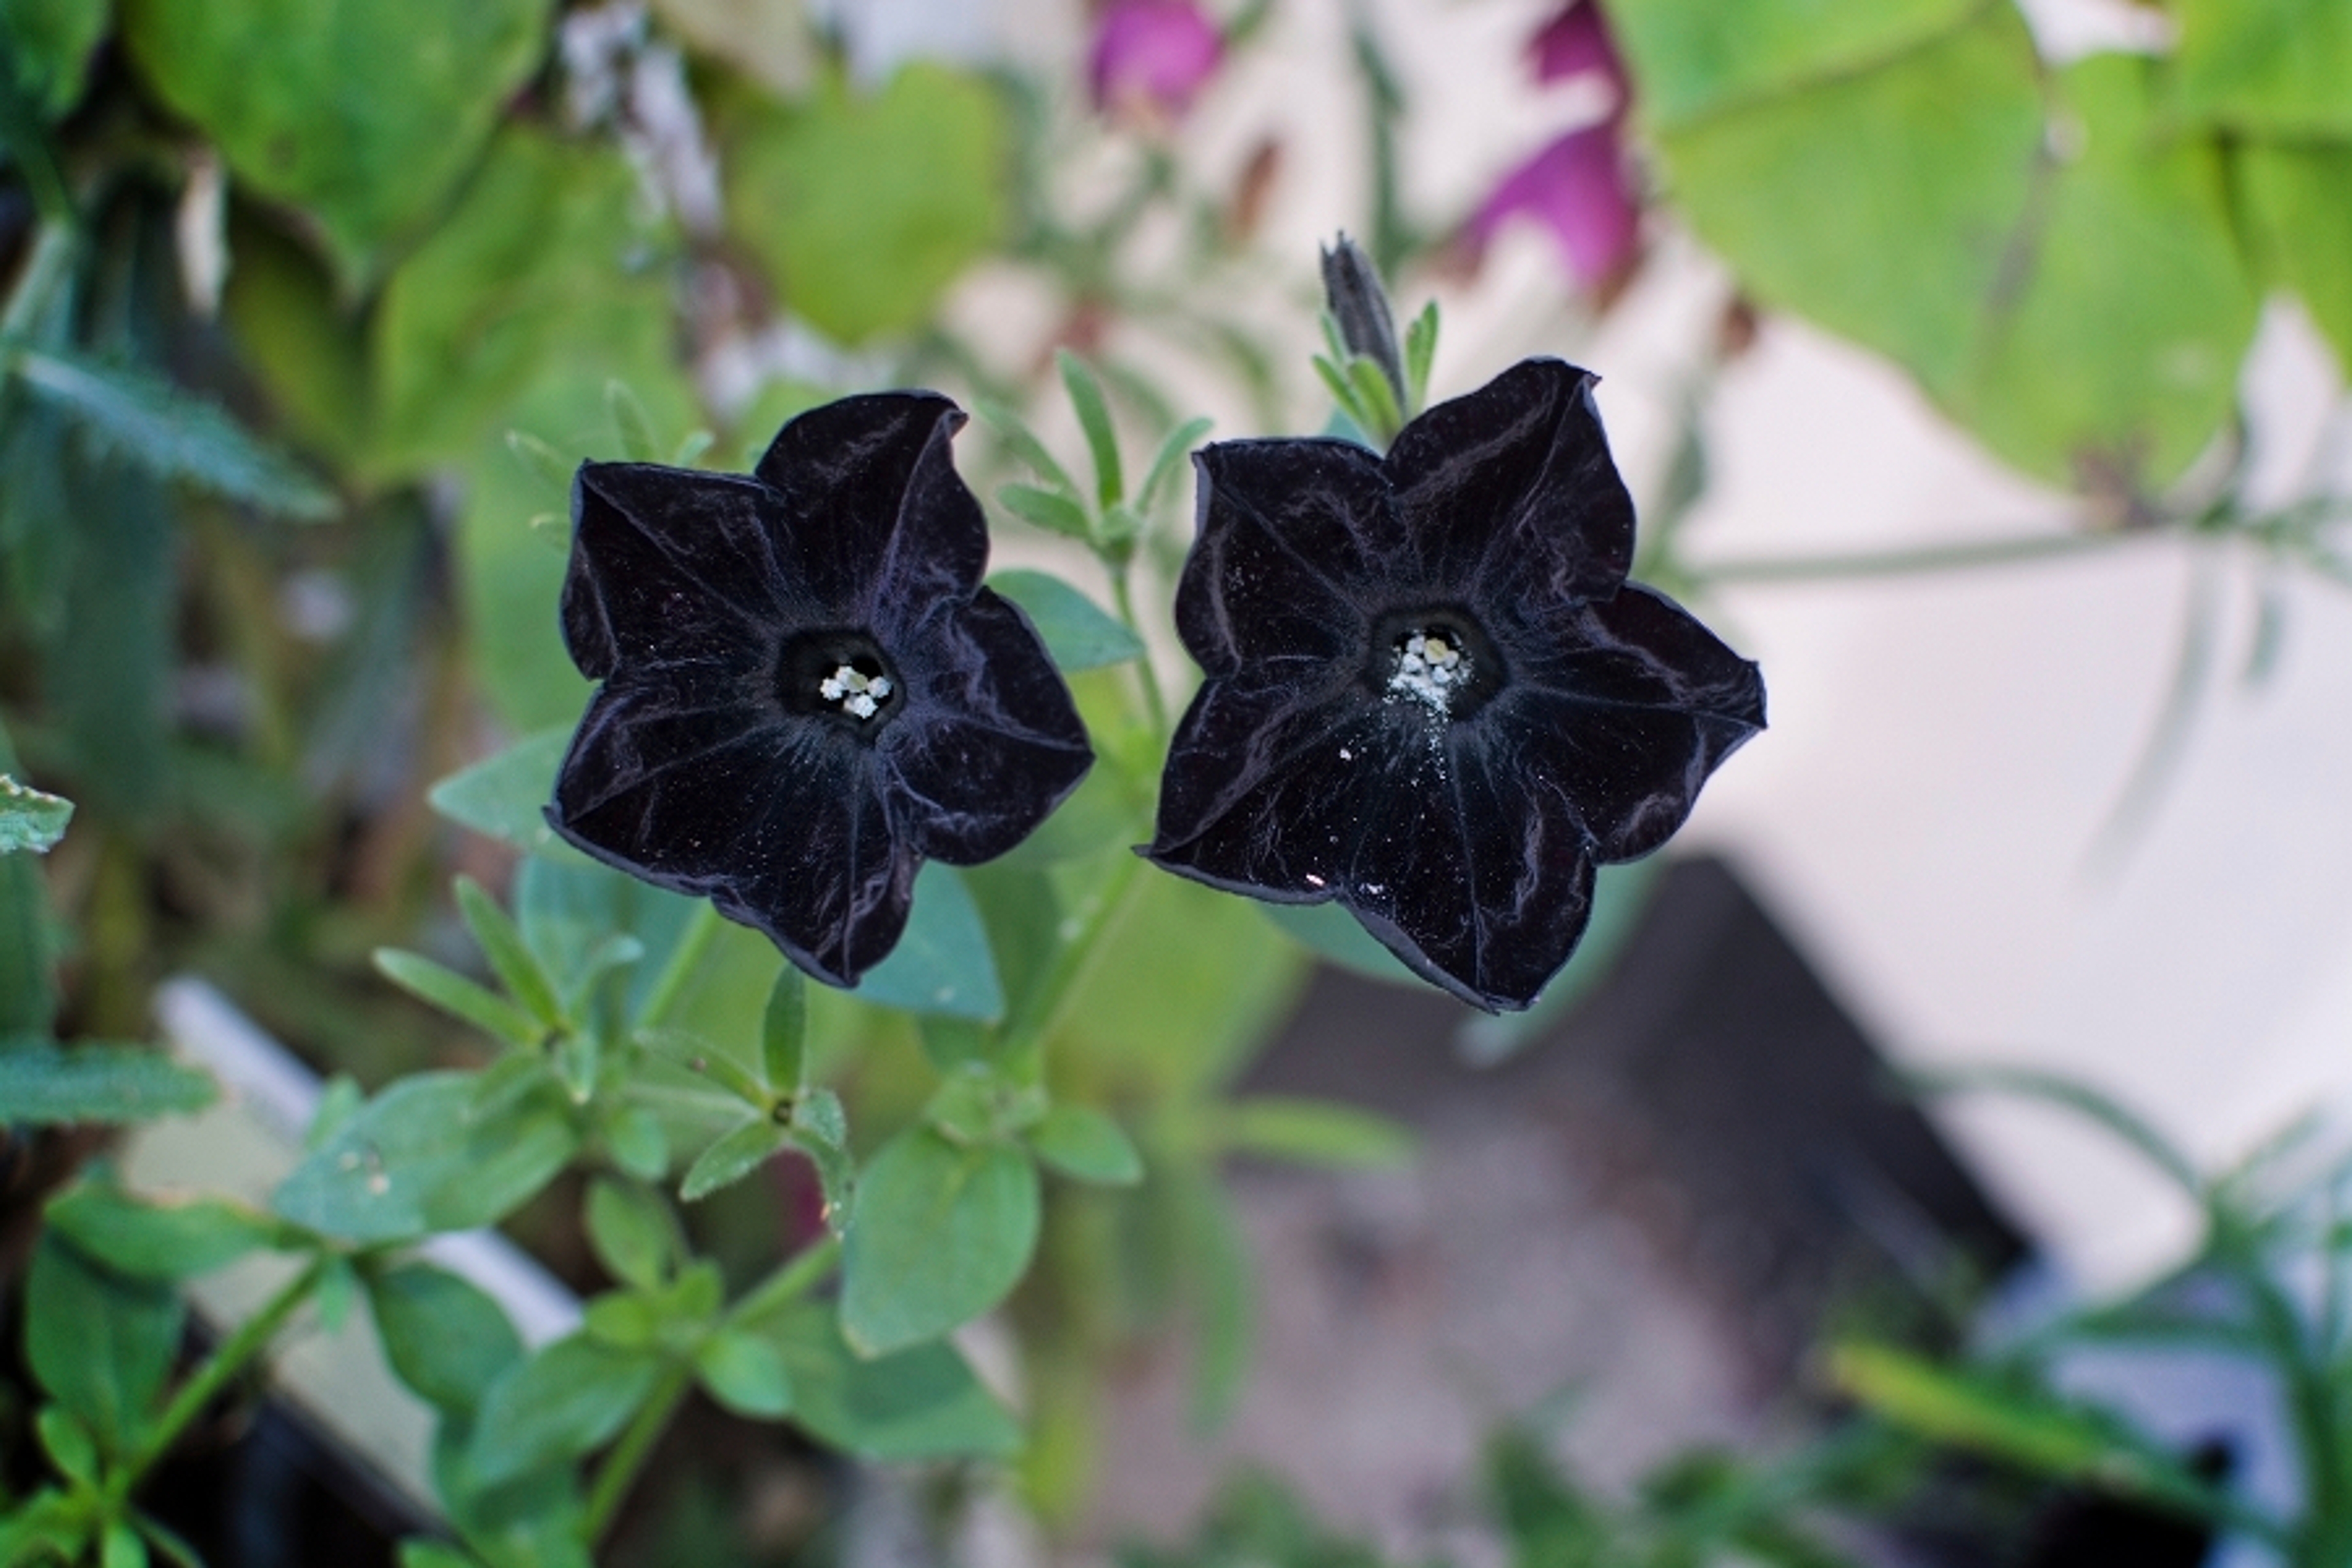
(502, 295)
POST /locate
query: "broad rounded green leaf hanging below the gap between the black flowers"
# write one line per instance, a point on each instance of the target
(940, 1235)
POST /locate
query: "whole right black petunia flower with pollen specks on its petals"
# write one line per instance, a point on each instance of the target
(1434, 695)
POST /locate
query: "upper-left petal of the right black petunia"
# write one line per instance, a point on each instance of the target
(1292, 537)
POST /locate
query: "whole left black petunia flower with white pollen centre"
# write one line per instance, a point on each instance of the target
(808, 692)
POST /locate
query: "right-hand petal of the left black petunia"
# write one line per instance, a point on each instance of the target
(989, 742)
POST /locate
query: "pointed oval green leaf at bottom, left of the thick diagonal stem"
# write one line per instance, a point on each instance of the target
(559, 1405)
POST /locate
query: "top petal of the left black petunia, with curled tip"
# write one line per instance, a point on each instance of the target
(871, 497)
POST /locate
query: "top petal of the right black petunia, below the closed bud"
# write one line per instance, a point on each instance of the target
(1509, 492)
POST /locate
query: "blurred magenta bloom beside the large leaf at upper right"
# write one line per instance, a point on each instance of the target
(1577, 185)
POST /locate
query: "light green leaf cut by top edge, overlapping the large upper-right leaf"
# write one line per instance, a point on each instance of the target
(1692, 58)
